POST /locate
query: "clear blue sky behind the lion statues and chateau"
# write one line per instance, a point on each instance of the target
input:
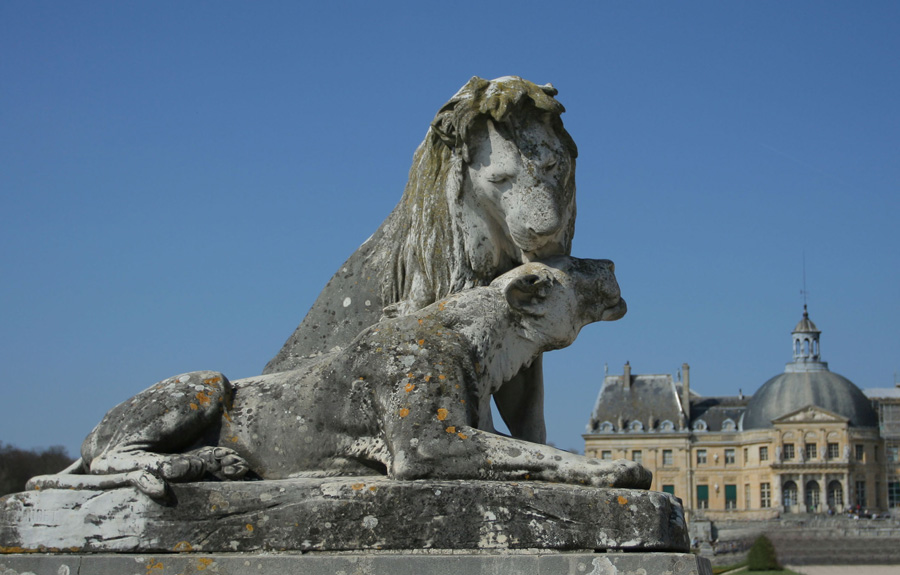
(178, 180)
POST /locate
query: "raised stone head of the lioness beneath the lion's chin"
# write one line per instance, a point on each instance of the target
(559, 296)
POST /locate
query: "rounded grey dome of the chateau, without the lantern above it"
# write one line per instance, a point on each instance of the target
(790, 391)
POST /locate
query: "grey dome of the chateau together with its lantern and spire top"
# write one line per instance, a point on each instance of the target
(807, 381)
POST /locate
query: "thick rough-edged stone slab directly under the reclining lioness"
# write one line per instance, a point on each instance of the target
(367, 513)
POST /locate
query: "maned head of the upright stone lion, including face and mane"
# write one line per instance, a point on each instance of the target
(492, 186)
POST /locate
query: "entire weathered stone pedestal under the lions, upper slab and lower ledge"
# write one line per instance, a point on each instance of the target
(366, 525)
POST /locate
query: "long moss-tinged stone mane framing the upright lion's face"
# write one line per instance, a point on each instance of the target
(428, 256)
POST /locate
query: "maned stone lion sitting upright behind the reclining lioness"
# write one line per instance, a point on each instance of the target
(492, 186)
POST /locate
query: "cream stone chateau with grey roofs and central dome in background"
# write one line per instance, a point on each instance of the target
(807, 441)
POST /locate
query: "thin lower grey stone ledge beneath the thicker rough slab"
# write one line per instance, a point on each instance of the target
(376, 563)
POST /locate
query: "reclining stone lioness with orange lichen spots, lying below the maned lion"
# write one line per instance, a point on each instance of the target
(408, 397)
